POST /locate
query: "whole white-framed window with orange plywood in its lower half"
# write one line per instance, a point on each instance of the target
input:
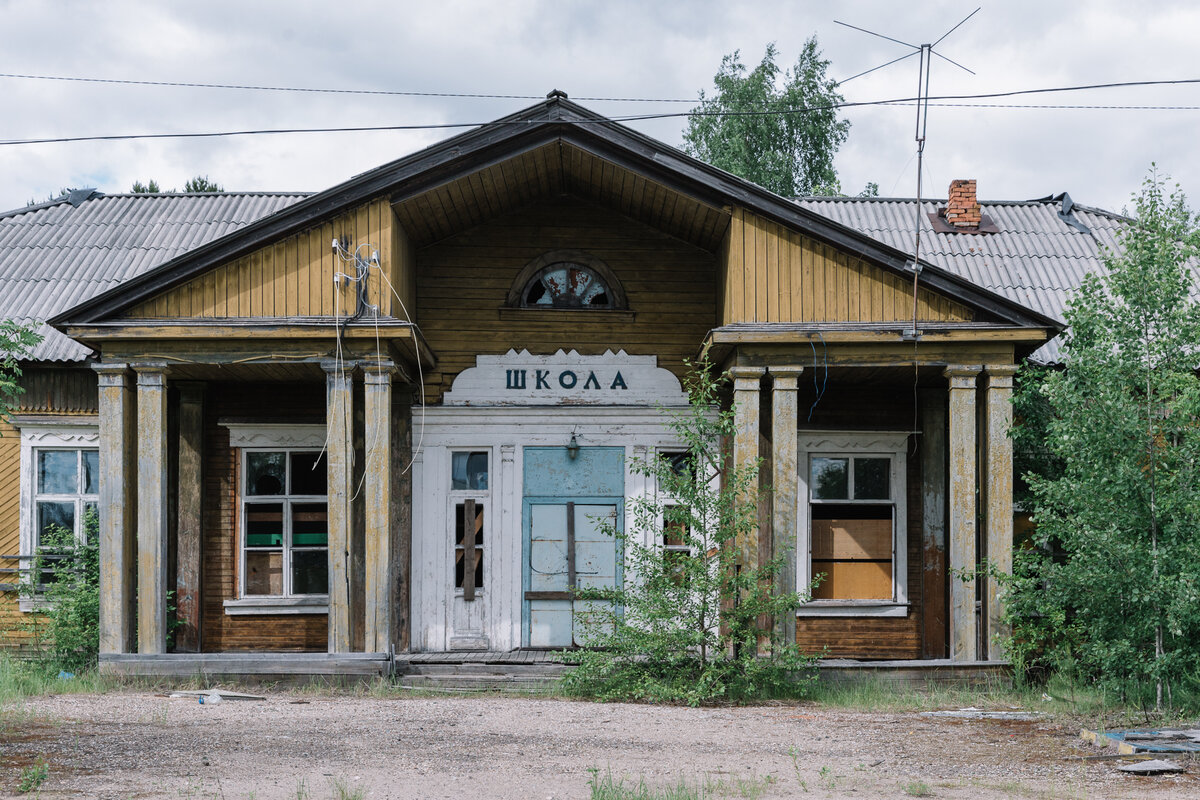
(853, 532)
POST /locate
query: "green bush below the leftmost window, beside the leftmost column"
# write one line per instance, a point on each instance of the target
(67, 580)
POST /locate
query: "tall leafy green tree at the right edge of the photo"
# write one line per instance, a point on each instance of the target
(1112, 590)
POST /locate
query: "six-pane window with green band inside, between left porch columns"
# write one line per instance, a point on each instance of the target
(285, 525)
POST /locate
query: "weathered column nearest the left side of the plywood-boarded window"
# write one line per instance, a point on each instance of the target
(785, 483)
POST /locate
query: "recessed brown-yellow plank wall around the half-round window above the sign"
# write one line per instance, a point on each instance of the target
(464, 281)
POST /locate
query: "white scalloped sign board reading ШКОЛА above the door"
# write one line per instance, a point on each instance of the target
(566, 380)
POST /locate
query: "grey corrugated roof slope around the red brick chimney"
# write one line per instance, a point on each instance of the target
(1036, 258)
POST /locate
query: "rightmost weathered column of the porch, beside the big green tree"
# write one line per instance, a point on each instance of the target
(1000, 500)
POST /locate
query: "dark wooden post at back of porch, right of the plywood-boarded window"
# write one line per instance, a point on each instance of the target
(933, 504)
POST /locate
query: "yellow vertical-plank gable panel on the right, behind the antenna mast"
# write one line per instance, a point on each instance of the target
(776, 275)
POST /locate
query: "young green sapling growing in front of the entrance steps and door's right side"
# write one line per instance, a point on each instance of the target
(687, 624)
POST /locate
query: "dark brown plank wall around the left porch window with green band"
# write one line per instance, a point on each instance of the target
(221, 633)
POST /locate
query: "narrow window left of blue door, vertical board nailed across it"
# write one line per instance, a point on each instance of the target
(469, 497)
